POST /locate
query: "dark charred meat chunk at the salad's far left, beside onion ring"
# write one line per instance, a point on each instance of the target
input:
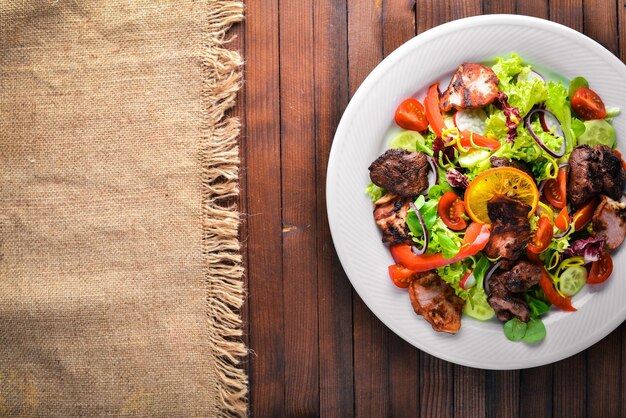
(401, 172)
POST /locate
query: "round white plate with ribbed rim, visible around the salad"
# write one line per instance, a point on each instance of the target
(361, 137)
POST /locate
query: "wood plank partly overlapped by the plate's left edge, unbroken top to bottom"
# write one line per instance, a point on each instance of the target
(334, 290)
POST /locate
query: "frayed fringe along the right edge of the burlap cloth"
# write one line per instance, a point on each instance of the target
(220, 161)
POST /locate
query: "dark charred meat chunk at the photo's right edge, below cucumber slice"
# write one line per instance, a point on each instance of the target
(594, 171)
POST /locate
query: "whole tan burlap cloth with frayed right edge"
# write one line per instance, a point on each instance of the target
(120, 277)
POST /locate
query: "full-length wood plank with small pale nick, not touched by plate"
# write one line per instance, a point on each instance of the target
(299, 213)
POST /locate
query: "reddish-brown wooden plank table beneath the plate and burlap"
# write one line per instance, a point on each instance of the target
(317, 349)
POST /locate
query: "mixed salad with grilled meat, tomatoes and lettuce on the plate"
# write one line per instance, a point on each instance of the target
(501, 197)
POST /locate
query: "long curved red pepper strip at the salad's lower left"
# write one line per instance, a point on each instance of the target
(476, 238)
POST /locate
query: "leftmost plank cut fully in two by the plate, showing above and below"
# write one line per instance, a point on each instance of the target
(365, 44)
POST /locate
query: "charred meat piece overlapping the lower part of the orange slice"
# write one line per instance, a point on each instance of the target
(510, 229)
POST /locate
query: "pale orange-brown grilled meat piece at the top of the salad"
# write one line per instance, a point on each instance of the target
(473, 85)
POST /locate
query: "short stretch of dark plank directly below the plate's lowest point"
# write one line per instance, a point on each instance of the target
(502, 392)
